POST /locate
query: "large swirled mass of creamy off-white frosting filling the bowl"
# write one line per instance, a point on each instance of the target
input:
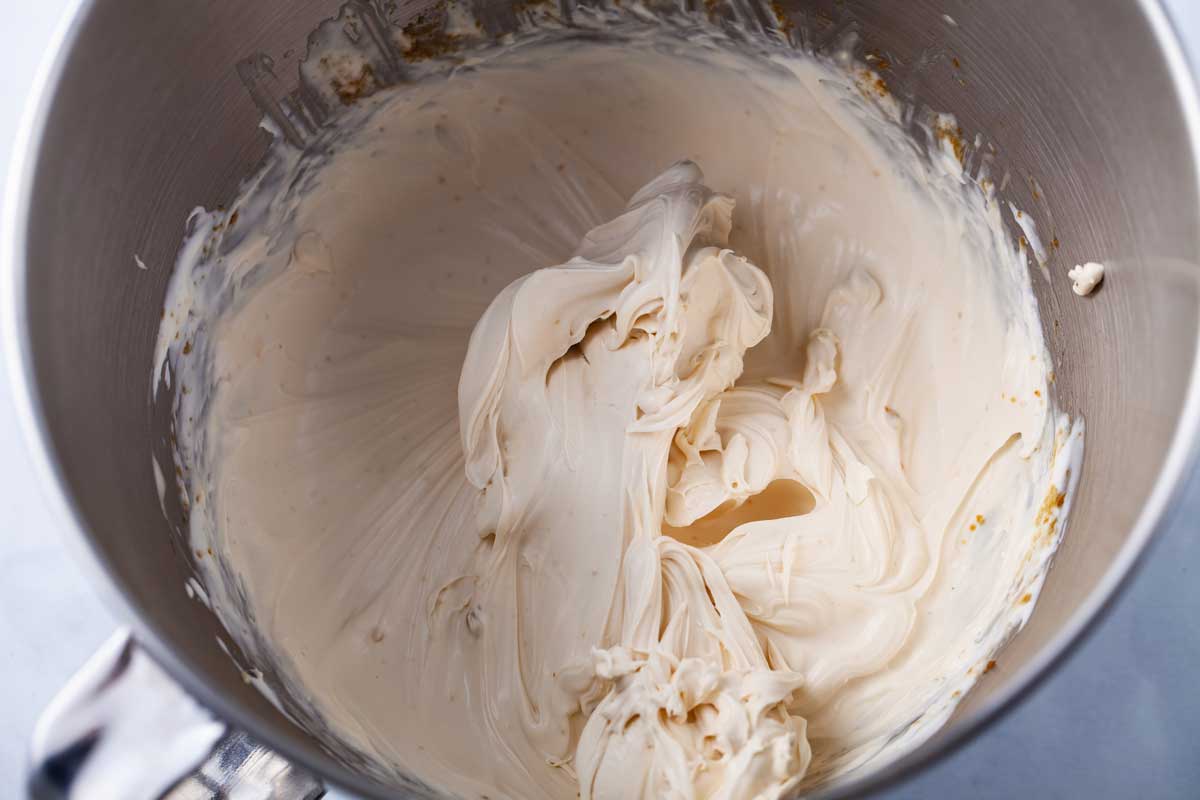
(617, 416)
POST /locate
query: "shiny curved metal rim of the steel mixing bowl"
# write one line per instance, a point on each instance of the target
(1159, 514)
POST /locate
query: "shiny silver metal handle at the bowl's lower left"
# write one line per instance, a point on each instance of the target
(122, 729)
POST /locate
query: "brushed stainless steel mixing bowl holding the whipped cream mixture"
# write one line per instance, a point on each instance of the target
(142, 116)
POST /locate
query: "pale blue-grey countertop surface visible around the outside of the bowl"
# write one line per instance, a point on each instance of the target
(1117, 721)
